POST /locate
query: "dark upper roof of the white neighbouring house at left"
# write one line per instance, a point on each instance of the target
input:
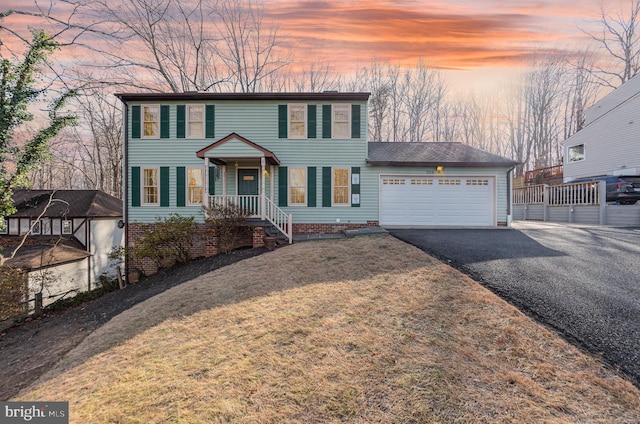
(67, 203)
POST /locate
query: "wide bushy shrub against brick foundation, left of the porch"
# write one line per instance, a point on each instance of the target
(168, 241)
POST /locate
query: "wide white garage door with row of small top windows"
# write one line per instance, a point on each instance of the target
(437, 201)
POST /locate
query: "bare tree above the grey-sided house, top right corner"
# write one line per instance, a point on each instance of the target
(620, 40)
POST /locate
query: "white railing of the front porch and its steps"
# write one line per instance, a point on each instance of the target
(258, 206)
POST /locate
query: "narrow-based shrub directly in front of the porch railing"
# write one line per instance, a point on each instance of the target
(230, 222)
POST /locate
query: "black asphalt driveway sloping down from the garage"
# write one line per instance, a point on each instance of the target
(584, 281)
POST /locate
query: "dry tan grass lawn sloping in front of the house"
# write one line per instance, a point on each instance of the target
(359, 330)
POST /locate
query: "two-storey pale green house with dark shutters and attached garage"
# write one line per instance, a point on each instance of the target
(300, 161)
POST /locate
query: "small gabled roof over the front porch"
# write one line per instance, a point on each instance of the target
(233, 147)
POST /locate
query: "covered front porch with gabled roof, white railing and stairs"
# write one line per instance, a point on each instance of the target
(244, 175)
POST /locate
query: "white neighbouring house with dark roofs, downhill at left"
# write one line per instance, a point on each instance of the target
(70, 235)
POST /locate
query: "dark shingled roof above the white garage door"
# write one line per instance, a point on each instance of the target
(433, 154)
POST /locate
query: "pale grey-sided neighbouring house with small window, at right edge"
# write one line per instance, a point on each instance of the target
(608, 142)
